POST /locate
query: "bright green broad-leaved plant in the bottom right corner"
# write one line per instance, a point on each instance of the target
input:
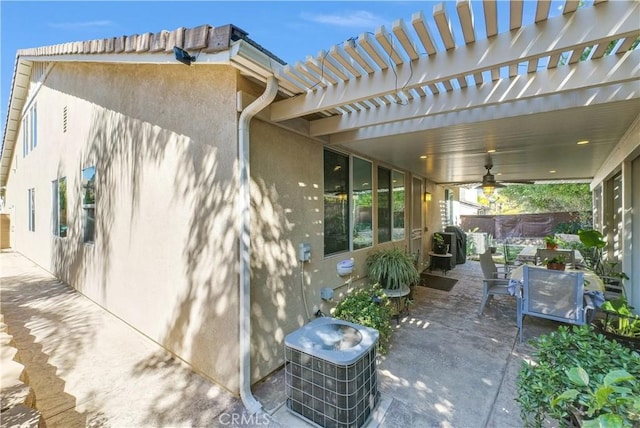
(612, 402)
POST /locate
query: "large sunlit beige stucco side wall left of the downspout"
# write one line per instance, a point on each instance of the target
(163, 139)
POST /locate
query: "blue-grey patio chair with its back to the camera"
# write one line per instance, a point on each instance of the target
(551, 294)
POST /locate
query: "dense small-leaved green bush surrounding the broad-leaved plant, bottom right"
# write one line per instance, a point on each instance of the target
(556, 353)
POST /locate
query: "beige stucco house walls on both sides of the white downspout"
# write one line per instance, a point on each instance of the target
(164, 143)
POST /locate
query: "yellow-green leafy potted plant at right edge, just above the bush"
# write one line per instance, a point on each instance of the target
(620, 323)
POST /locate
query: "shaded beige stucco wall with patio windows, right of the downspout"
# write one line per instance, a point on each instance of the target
(287, 198)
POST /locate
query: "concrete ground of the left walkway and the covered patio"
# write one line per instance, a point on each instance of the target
(446, 367)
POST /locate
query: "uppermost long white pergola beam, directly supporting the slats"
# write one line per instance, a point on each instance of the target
(596, 26)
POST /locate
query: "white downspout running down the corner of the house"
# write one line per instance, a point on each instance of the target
(244, 205)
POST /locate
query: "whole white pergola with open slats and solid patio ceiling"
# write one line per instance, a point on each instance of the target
(410, 96)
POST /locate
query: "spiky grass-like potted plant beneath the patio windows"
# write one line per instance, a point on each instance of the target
(392, 268)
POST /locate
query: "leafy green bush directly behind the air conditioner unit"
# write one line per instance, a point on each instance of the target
(369, 307)
